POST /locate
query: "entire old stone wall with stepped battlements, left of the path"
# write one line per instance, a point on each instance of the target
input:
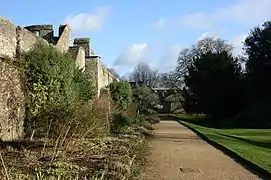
(14, 40)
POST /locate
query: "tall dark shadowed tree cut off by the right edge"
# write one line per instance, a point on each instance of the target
(257, 47)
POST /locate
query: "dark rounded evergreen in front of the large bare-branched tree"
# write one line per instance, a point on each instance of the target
(214, 80)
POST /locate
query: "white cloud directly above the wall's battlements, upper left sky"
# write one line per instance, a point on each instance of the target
(86, 22)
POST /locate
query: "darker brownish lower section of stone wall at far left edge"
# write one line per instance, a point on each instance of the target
(11, 101)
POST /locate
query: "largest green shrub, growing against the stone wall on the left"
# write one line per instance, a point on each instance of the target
(53, 86)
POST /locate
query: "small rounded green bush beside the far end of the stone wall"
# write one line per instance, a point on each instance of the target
(121, 94)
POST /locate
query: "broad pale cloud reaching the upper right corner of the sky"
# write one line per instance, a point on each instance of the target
(248, 12)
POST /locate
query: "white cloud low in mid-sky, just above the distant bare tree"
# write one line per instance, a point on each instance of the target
(132, 55)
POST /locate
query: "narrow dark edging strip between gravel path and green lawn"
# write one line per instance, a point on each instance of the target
(252, 167)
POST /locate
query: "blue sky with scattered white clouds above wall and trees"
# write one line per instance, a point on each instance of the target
(125, 32)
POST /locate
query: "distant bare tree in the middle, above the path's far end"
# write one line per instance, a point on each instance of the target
(144, 74)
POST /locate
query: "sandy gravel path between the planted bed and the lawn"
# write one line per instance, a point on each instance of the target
(175, 147)
